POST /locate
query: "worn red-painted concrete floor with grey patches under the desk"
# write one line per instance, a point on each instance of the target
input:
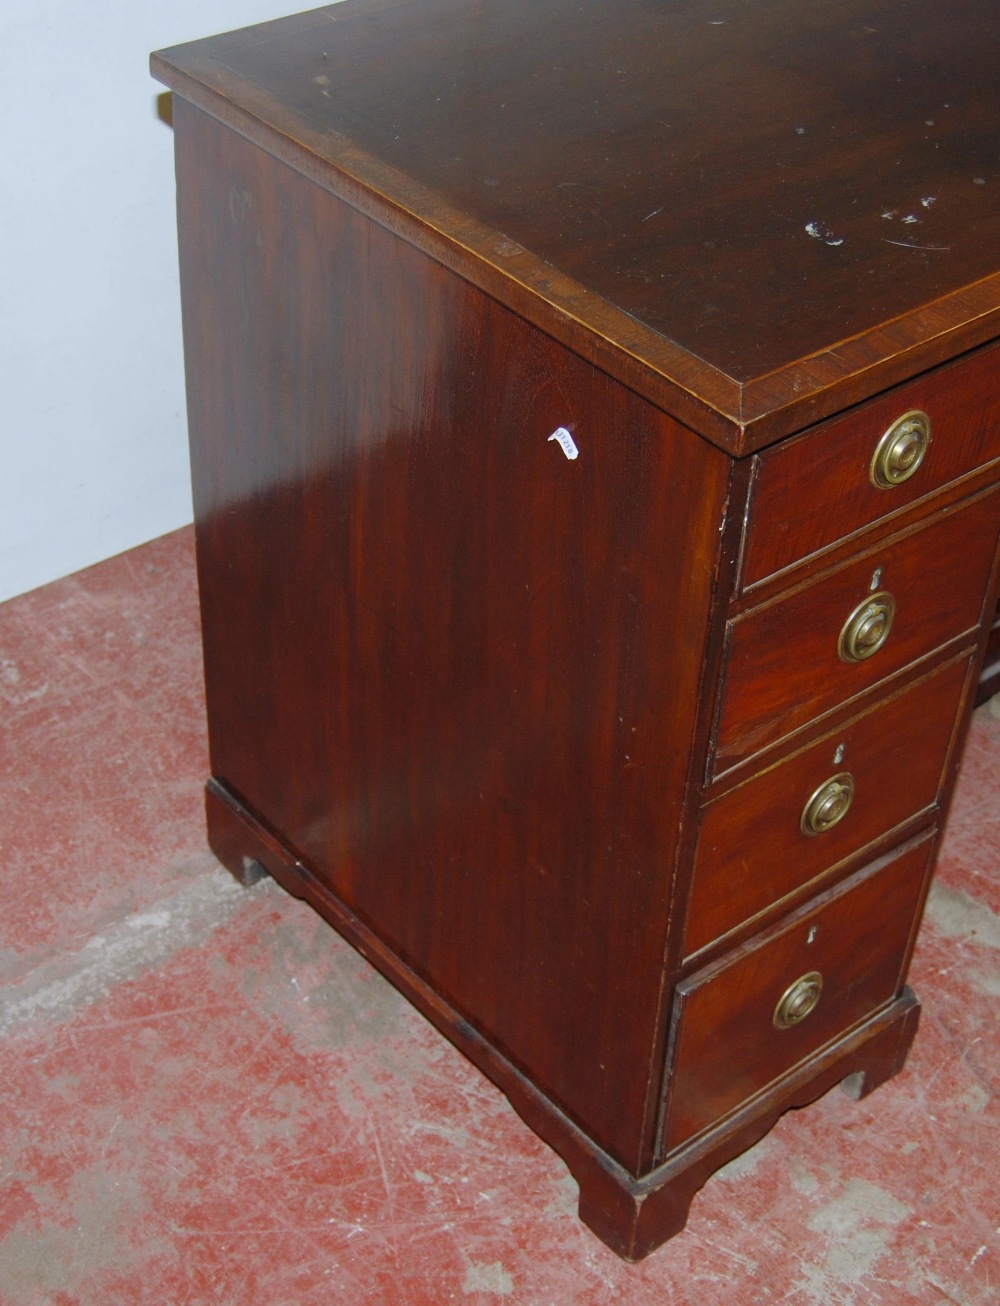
(210, 1099)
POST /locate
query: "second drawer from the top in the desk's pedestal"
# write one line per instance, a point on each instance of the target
(784, 660)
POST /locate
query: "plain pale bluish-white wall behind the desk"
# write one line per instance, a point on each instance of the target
(93, 446)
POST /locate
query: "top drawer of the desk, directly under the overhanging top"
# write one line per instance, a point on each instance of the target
(818, 490)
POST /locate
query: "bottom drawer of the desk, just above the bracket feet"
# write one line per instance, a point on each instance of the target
(728, 1045)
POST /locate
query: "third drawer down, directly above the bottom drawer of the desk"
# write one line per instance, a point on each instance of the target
(766, 839)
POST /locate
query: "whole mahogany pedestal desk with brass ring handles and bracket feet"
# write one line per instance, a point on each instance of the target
(596, 437)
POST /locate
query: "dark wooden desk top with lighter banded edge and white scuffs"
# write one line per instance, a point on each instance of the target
(776, 207)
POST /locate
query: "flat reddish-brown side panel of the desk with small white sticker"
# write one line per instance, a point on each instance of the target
(456, 671)
